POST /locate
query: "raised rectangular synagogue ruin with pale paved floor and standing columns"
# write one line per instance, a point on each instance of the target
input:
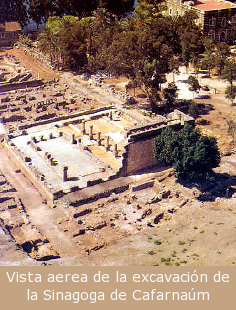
(63, 155)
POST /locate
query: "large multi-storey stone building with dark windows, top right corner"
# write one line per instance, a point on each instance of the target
(217, 17)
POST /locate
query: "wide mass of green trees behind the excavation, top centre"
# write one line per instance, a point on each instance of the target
(143, 46)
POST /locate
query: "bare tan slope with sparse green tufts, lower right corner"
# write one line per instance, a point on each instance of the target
(198, 233)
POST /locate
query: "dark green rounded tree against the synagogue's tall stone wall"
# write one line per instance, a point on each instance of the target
(192, 155)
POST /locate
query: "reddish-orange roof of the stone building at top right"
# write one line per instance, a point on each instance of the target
(213, 5)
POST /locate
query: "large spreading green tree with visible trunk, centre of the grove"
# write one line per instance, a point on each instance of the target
(139, 53)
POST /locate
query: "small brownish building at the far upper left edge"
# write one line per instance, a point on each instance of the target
(9, 33)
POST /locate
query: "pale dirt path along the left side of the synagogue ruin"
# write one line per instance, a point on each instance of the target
(44, 218)
